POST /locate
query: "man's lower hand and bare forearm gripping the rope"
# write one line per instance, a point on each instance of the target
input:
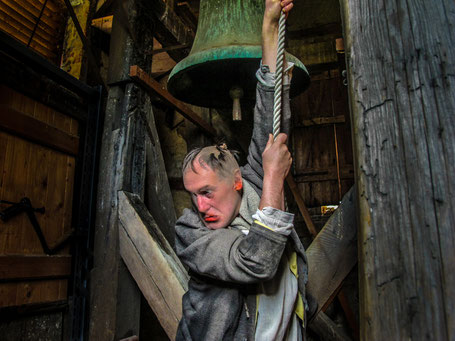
(276, 162)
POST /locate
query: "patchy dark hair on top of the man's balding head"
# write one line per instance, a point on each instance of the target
(218, 158)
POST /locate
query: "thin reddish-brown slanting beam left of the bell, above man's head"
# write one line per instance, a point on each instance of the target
(153, 87)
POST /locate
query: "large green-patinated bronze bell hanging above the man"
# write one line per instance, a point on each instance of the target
(220, 70)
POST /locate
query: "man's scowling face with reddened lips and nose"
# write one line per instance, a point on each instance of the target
(216, 199)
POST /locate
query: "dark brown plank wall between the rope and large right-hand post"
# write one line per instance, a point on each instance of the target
(315, 168)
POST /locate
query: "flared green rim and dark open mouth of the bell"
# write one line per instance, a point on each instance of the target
(206, 77)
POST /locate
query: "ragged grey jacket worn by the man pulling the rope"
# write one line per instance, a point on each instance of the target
(225, 265)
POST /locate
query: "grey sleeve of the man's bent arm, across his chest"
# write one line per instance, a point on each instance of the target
(228, 254)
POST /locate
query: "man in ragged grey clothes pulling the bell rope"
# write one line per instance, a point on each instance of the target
(247, 265)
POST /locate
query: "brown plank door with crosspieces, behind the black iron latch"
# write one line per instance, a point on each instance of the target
(38, 148)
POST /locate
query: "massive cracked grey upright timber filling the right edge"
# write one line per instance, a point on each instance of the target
(403, 104)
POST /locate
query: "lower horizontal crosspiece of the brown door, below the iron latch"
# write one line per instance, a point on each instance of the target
(22, 267)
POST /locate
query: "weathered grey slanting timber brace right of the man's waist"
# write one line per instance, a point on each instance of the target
(333, 253)
